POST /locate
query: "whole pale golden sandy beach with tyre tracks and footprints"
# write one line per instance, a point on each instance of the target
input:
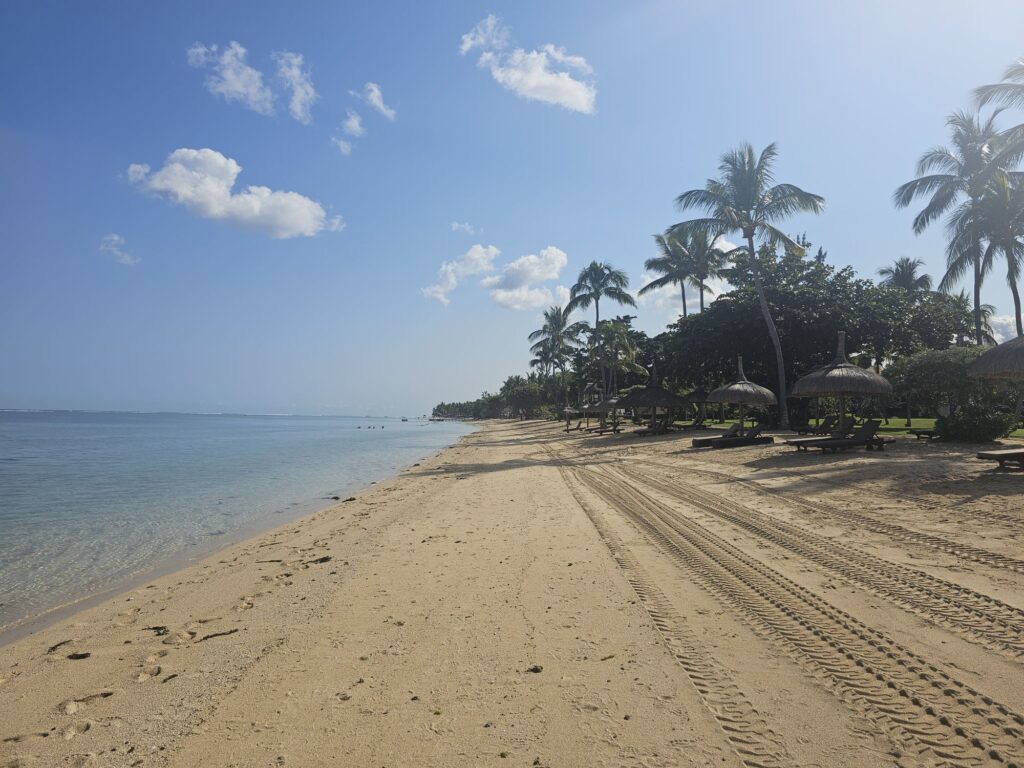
(532, 599)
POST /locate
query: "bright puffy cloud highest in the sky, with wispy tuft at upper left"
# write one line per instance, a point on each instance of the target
(549, 75)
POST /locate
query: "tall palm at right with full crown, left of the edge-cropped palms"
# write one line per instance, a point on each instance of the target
(947, 175)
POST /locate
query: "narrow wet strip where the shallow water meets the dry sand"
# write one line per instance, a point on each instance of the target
(28, 626)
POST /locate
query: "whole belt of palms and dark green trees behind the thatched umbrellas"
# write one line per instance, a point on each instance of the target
(774, 289)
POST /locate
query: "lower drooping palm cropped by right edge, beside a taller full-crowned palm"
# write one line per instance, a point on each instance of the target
(999, 219)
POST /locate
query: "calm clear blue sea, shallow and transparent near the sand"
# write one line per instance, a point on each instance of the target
(91, 500)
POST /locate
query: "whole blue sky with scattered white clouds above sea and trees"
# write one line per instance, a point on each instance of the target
(364, 208)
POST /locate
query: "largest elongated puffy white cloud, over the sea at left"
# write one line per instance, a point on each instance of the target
(202, 181)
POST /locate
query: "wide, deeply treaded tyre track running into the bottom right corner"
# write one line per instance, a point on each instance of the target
(943, 720)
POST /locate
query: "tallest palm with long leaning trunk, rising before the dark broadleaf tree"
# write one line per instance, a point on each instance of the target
(747, 199)
